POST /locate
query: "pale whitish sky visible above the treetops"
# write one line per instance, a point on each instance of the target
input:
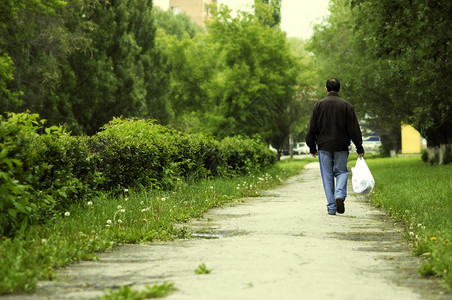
(297, 16)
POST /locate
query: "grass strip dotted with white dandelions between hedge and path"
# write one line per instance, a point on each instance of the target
(136, 216)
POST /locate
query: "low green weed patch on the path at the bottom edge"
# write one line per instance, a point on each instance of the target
(126, 292)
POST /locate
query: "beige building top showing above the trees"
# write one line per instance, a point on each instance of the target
(197, 10)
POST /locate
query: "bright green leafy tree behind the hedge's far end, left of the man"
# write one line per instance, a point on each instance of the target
(256, 75)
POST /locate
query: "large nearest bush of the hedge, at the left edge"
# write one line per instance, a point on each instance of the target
(42, 171)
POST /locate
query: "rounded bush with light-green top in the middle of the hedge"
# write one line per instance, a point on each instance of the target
(134, 153)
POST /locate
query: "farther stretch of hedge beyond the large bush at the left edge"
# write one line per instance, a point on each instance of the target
(142, 153)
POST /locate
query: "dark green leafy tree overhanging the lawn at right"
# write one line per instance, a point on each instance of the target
(418, 64)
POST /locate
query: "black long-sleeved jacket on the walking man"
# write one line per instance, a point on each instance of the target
(333, 124)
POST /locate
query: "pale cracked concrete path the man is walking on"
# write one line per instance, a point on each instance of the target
(283, 246)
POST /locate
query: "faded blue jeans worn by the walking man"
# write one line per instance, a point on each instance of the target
(334, 165)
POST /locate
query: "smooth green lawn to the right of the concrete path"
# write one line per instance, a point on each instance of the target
(420, 195)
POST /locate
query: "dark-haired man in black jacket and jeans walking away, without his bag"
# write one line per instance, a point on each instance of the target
(333, 124)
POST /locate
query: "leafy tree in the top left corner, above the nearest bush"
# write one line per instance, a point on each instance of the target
(33, 46)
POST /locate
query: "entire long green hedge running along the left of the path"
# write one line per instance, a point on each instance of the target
(43, 171)
